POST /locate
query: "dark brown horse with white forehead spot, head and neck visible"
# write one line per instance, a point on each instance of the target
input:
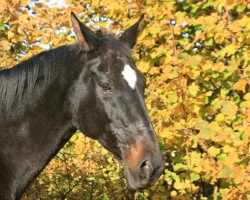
(93, 86)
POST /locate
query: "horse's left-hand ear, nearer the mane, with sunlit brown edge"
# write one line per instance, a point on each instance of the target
(86, 37)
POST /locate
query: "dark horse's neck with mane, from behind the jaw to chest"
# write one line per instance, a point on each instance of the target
(39, 118)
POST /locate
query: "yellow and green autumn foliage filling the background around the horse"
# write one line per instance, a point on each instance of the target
(195, 55)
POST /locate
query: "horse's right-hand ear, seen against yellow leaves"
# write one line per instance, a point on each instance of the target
(130, 35)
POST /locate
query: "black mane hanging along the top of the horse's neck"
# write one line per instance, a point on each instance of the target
(22, 78)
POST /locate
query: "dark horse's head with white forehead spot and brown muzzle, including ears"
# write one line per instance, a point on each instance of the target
(109, 102)
